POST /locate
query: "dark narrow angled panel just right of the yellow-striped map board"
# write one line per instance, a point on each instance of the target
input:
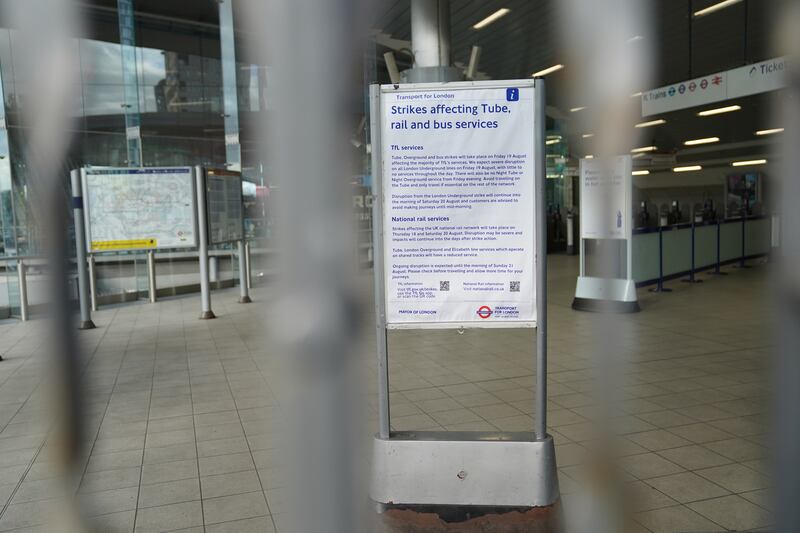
(224, 206)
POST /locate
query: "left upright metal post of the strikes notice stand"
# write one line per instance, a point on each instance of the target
(384, 430)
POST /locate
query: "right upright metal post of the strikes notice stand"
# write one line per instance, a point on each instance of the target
(541, 261)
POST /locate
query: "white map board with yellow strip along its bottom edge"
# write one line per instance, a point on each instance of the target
(139, 208)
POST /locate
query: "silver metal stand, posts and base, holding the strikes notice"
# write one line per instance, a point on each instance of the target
(493, 469)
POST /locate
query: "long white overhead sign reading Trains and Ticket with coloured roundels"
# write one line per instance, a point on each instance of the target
(744, 81)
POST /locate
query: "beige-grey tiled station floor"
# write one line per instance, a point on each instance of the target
(182, 415)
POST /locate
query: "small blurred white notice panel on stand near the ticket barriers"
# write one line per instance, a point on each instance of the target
(606, 197)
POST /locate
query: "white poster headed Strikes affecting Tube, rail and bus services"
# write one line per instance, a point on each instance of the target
(458, 205)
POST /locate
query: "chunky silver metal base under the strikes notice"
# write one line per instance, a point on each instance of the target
(464, 469)
